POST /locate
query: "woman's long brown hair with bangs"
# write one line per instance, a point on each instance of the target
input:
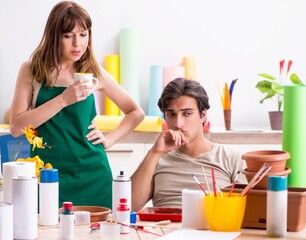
(46, 59)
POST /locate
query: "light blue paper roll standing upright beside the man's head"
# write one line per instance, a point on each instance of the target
(156, 87)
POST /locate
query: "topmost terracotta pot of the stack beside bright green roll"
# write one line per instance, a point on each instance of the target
(276, 158)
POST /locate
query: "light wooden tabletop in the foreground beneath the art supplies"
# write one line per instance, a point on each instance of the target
(82, 233)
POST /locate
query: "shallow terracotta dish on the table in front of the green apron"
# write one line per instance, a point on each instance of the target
(97, 214)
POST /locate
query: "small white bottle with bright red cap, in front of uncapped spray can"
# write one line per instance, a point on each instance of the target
(123, 216)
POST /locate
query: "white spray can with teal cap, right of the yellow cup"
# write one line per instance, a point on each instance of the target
(277, 200)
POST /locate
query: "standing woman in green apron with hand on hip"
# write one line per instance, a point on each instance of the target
(62, 110)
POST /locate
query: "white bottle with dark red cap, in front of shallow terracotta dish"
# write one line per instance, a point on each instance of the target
(66, 222)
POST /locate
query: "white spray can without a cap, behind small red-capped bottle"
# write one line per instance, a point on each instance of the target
(121, 189)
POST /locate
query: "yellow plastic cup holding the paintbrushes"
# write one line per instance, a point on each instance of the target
(225, 213)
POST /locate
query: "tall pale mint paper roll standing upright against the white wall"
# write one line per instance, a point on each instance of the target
(129, 48)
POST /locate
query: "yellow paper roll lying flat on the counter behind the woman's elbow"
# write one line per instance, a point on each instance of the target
(109, 123)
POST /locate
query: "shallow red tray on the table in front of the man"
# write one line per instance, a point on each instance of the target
(160, 214)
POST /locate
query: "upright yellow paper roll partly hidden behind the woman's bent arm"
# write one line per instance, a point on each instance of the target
(112, 66)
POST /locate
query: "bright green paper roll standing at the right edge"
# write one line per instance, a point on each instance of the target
(294, 133)
